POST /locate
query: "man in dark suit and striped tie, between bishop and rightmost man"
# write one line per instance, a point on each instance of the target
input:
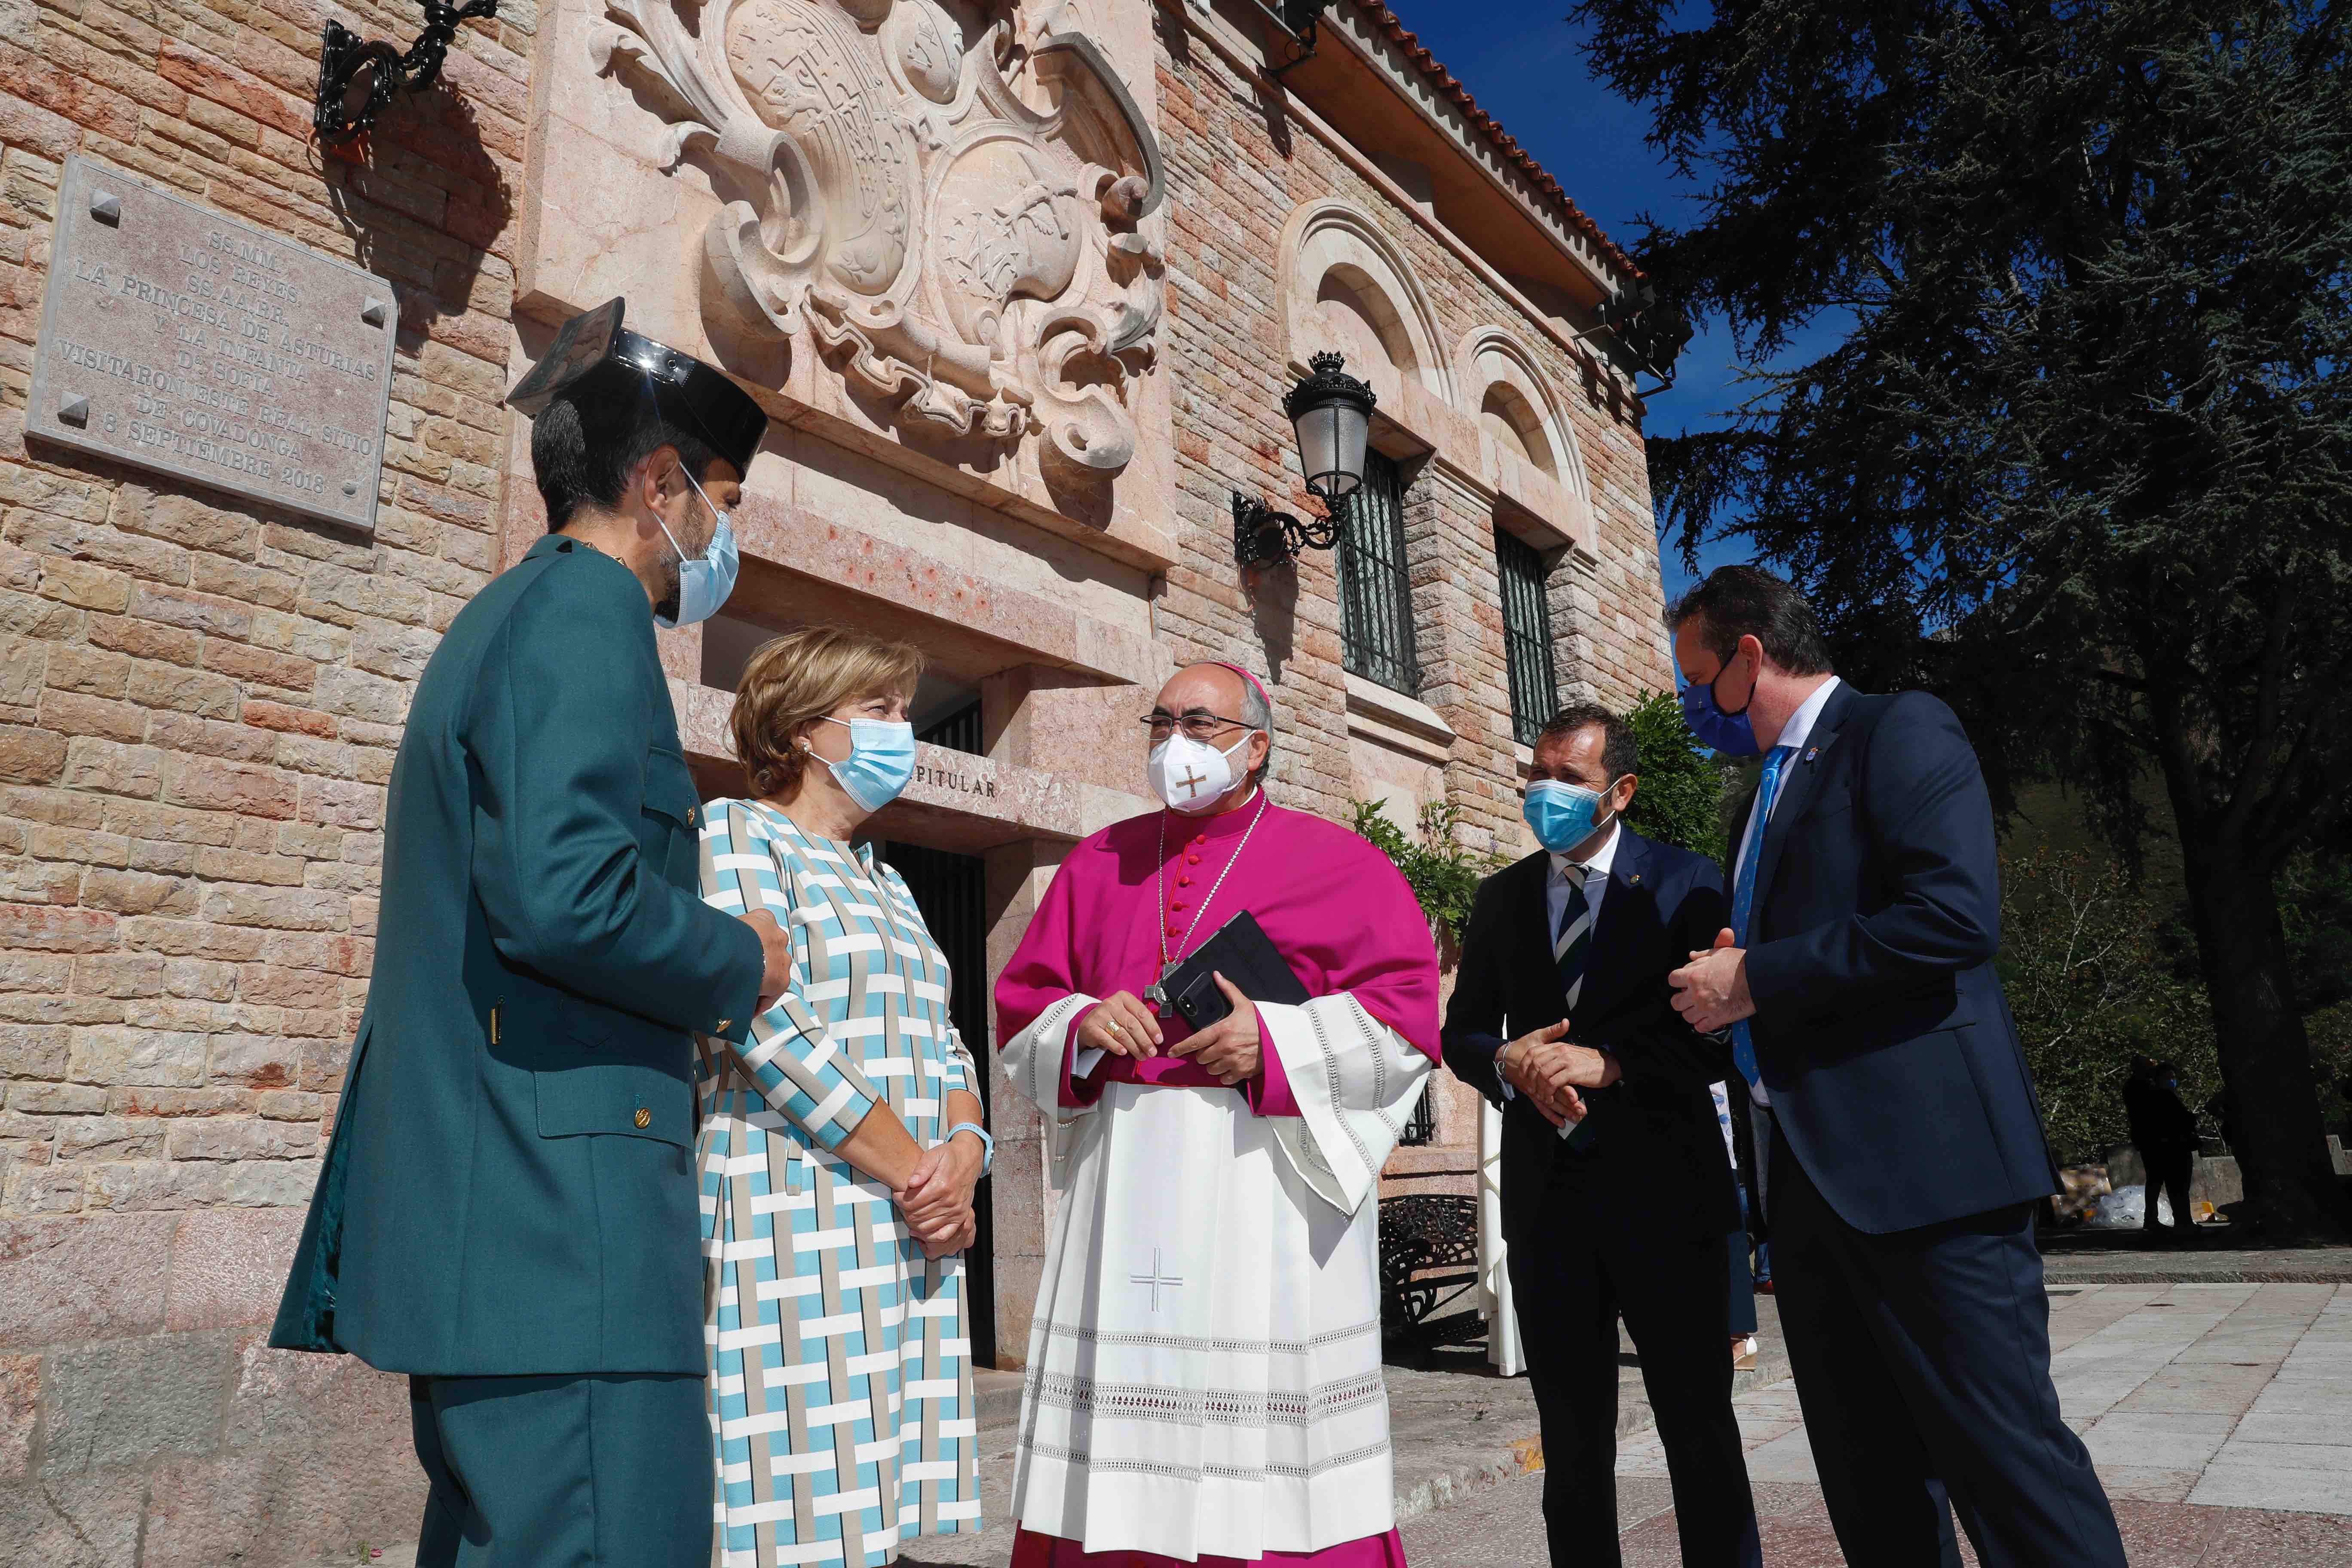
(1617, 1195)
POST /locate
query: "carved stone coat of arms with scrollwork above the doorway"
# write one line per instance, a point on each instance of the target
(965, 227)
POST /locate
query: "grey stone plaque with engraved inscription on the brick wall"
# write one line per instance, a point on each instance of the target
(182, 340)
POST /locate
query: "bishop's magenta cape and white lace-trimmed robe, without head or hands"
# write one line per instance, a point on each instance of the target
(1205, 1355)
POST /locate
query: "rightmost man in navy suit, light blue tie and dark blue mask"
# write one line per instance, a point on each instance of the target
(1909, 1151)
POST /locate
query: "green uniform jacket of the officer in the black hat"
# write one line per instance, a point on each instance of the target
(512, 1181)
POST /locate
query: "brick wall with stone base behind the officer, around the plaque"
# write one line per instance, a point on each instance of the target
(199, 711)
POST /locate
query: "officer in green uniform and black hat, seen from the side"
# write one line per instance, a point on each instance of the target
(509, 1205)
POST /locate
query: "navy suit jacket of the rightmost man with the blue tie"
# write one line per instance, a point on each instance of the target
(1883, 1036)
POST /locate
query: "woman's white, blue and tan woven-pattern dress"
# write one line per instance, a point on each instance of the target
(841, 1358)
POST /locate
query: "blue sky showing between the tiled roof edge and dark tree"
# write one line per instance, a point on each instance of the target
(1525, 67)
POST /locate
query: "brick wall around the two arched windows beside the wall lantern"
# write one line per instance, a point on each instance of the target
(1236, 168)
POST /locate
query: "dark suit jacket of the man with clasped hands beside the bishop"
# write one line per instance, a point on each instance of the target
(1657, 1148)
